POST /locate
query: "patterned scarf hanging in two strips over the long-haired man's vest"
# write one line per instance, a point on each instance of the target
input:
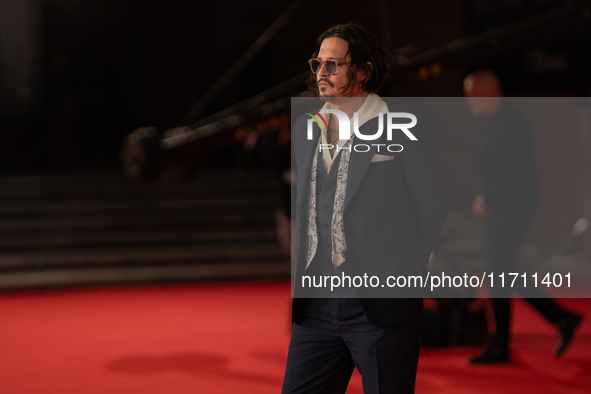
(339, 245)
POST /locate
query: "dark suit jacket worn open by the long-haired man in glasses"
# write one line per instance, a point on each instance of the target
(393, 213)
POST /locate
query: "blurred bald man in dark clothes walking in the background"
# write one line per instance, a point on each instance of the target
(508, 197)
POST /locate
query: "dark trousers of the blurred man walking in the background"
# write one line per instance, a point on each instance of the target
(505, 232)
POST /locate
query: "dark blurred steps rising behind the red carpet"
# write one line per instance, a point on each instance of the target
(102, 228)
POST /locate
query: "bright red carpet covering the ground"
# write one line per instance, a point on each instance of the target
(229, 338)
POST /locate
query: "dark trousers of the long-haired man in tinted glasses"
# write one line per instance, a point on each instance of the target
(335, 336)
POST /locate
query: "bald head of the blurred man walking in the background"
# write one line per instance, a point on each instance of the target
(483, 83)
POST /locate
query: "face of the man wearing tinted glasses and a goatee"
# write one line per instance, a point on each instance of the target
(331, 85)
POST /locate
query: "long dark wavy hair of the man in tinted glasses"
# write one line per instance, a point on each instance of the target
(363, 47)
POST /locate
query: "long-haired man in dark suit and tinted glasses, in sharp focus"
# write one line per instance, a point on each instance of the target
(358, 212)
